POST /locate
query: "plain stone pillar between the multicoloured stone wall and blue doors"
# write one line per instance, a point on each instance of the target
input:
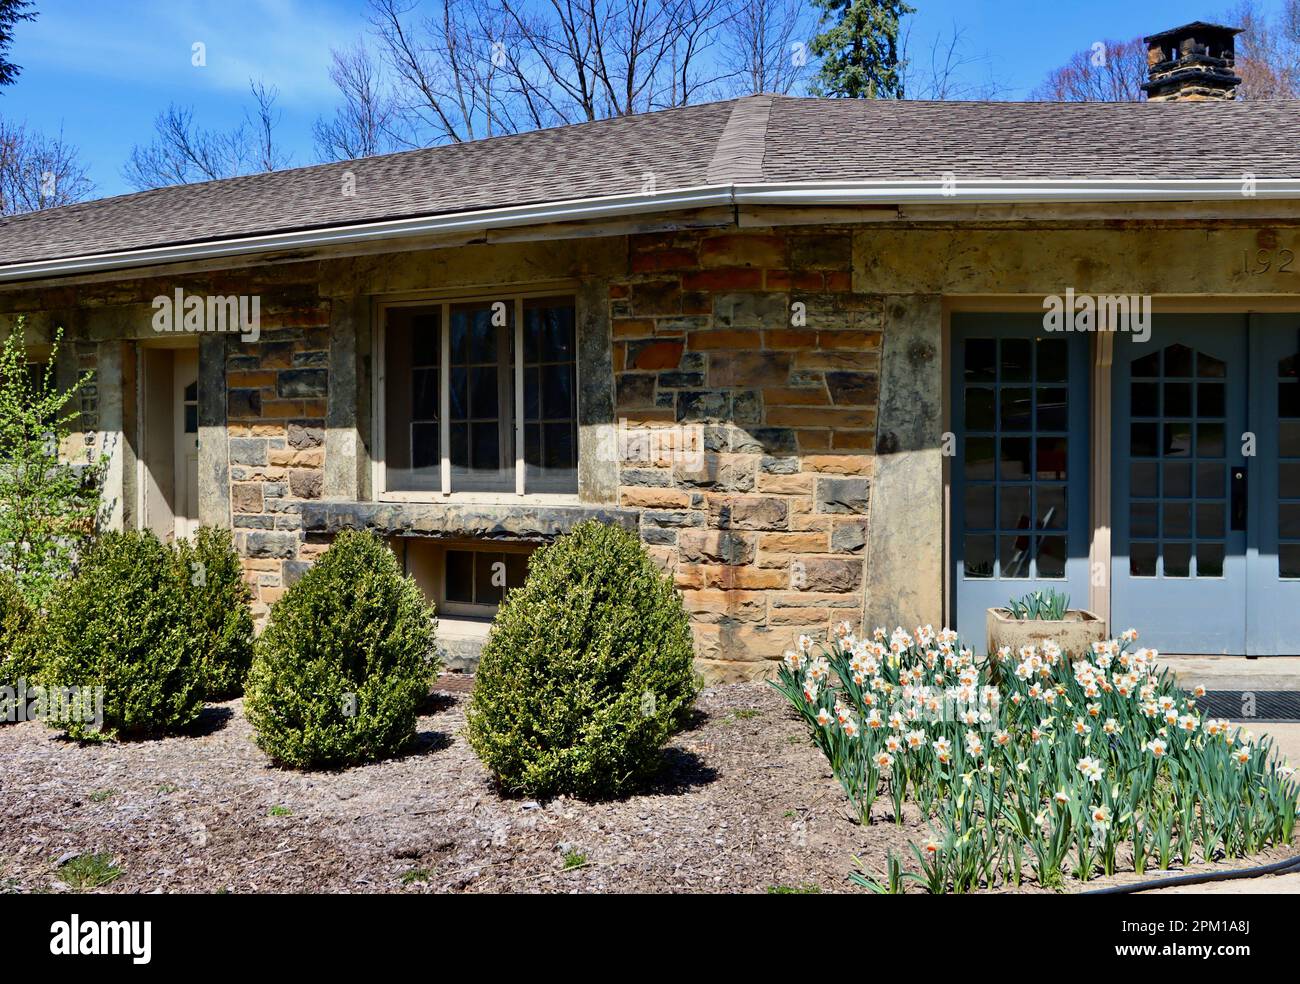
(905, 536)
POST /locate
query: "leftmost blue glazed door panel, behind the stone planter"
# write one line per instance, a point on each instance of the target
(1020, 476)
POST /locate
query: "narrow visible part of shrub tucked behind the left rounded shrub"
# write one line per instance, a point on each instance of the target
(218, 597)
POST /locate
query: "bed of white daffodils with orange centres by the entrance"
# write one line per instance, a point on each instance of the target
(1060, 770)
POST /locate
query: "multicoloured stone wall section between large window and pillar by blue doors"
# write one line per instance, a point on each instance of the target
(749, 371)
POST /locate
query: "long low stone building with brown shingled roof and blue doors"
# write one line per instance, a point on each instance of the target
(798, 345)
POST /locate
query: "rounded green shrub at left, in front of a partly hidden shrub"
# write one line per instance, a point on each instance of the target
(122, 625)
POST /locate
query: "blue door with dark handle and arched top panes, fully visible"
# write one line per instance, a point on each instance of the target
(1178, 504)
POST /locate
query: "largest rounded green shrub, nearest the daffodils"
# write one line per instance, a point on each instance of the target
(587, 673)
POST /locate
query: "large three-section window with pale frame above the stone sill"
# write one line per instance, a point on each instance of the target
(478, 397)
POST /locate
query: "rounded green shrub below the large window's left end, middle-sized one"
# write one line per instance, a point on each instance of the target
(345, 661)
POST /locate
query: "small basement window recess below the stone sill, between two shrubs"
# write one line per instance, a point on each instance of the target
(470, 579)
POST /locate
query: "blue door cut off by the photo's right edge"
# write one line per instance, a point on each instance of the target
(1273, 478)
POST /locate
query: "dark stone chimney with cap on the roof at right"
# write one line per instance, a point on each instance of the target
(1193, 63)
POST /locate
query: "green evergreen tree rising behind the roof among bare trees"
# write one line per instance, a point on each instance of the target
(859, 46)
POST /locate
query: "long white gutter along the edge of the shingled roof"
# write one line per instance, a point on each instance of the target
(868, 193)
